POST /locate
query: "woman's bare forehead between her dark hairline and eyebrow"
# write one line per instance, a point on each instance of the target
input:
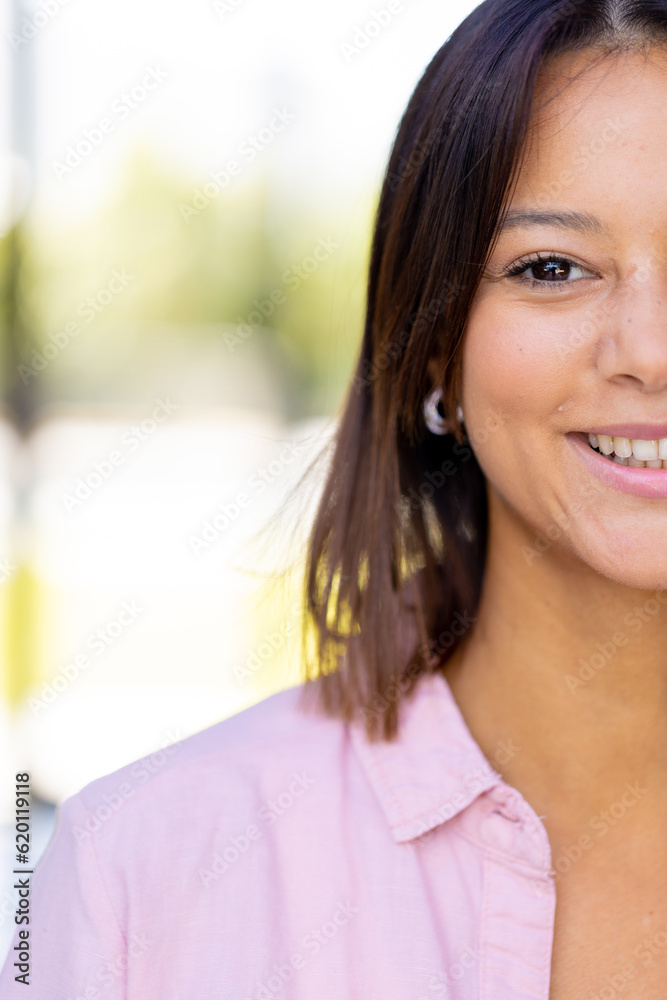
(598, 134)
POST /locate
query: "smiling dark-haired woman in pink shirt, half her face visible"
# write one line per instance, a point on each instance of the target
(474, 804)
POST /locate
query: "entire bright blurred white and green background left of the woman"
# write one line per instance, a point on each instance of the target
(186, 200)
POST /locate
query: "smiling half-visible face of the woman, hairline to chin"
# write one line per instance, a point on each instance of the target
(577, 344)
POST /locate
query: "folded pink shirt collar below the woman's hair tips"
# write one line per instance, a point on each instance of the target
(433, 770)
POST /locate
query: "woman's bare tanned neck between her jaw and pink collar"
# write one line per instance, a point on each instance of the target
(571, 668)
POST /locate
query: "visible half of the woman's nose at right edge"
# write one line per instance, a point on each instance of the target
(633, 350)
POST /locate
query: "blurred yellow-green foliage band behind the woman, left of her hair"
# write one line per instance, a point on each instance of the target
(191, 282)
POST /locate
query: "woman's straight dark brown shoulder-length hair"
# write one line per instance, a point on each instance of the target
(401, 526)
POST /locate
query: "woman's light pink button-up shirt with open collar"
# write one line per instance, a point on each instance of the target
(278, 854)
